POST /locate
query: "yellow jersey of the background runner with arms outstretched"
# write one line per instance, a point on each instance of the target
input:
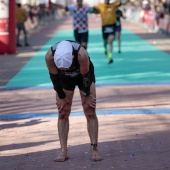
(108, 12)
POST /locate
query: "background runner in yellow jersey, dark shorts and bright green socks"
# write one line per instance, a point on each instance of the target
(107, 11)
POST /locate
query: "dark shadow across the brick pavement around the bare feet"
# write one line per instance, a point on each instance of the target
(148, 151)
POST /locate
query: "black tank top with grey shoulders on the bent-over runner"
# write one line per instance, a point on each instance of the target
(74, 69)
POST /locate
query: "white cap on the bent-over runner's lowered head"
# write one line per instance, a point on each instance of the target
(63, 55)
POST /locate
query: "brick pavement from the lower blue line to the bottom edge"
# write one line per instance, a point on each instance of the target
(125, 142)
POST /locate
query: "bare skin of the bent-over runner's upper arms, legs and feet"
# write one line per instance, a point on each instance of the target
(64, 108)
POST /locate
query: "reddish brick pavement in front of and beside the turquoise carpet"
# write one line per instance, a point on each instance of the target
(126, 141)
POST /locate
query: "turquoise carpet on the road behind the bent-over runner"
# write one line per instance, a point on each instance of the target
(139, 63)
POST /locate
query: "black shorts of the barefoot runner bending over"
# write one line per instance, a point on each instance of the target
(69, 83)
